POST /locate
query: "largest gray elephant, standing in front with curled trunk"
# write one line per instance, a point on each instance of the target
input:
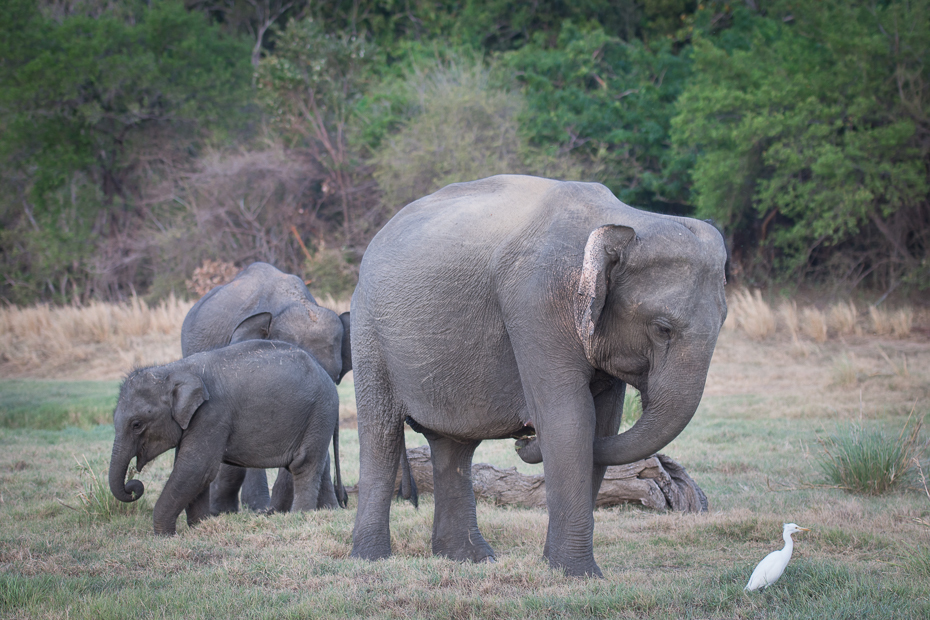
(514, 301)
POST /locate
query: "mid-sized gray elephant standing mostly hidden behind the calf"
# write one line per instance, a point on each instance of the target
(264, 303)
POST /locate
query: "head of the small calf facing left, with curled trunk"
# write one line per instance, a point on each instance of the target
(155, 406)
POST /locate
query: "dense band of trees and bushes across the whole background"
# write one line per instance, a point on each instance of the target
(140, 139)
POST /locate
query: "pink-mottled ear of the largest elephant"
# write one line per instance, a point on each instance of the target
(602, 251)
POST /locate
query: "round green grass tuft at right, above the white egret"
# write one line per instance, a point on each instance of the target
(871, 462)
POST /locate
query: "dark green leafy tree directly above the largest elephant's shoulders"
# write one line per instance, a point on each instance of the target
(608, 103)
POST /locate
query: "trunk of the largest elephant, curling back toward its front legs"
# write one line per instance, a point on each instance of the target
(667, 409)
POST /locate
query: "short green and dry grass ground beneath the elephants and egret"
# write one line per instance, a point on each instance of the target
(754, 447)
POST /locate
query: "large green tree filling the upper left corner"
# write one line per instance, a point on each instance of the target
(90, 107)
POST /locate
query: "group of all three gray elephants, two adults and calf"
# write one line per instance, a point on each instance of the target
(493, 309)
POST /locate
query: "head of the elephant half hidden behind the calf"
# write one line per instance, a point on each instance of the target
(317, 330)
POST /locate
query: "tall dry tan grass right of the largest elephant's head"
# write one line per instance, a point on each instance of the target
(751, 314)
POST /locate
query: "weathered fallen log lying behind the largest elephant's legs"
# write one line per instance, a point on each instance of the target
(657, 482)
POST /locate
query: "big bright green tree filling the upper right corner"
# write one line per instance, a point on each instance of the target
(811, 140)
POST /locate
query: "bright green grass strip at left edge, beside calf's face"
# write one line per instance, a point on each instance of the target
(54, 405)
